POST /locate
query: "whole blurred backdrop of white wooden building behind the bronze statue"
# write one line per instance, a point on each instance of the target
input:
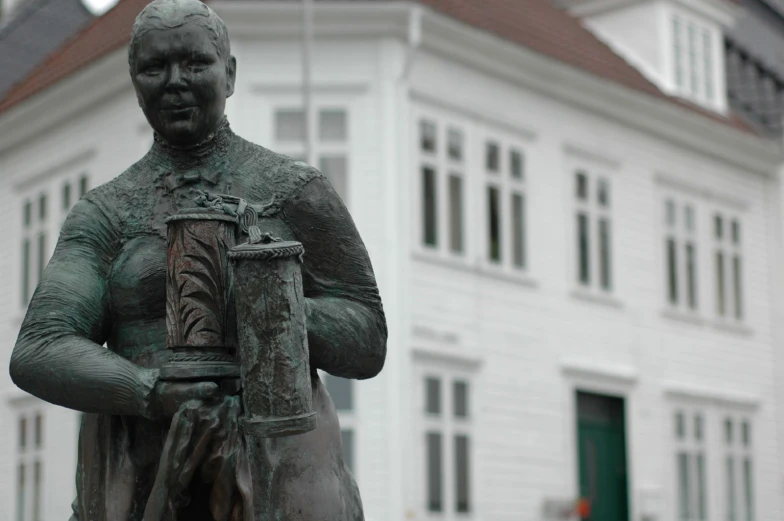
(574, 214)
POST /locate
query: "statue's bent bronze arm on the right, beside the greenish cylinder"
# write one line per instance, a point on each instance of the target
(347, 330)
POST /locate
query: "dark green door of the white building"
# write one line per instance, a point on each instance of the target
(601, 437)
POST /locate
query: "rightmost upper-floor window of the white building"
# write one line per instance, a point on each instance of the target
(728, 267)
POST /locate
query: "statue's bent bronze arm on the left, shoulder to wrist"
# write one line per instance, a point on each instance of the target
(59, 355)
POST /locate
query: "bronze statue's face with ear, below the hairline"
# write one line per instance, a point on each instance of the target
(181, 82)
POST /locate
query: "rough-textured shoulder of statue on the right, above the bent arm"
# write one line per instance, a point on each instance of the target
(272, 173)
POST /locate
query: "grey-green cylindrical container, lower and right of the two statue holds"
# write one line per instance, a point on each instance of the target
(272, 339)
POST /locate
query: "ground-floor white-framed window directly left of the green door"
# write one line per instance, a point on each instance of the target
(447, 442)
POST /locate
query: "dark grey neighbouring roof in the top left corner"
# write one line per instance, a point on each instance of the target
(36, 29)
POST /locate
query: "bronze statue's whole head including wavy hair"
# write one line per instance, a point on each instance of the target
(181, 68)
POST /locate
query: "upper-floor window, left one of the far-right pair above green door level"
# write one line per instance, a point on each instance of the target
(680, 252)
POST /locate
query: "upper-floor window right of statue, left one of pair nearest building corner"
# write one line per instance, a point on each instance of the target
(442, 158)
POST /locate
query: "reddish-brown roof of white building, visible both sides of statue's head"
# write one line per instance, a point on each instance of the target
(535, 24)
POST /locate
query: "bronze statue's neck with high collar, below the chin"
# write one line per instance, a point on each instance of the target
(191, 156)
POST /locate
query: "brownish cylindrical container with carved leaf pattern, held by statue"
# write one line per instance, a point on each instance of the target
(200, 329)
